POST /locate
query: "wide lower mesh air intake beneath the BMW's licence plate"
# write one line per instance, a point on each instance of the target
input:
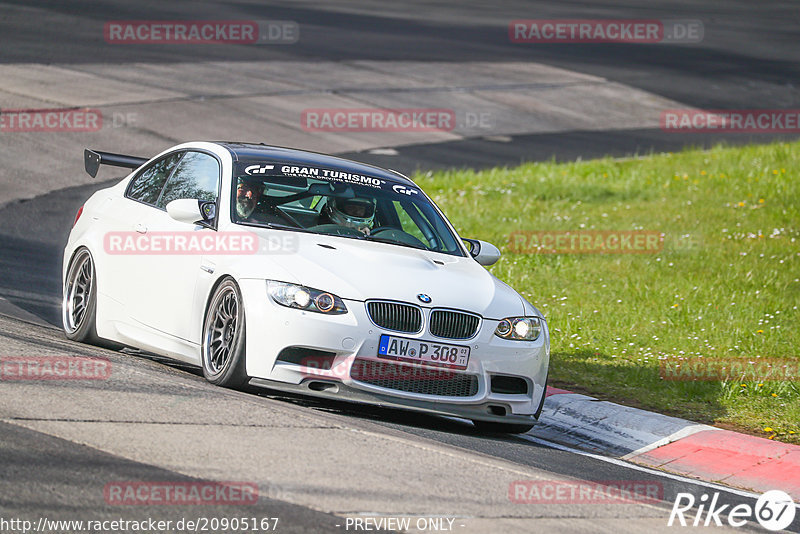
(414, 379)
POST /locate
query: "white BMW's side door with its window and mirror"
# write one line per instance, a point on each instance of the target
(165, 279)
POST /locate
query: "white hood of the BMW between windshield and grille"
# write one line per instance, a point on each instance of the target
(360, 270)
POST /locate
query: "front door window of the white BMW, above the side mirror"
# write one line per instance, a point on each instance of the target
(197, 176)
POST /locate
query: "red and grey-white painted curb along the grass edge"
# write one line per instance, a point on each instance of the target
(669, 443)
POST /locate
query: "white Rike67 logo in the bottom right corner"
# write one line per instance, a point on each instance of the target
(774, 510)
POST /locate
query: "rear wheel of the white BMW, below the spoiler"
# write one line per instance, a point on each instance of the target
(79, 302)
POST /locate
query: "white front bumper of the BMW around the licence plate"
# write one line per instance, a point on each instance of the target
(352, 337)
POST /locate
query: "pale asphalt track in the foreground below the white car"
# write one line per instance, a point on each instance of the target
(64, 442)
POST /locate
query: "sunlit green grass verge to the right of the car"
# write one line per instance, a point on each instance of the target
(725, 285)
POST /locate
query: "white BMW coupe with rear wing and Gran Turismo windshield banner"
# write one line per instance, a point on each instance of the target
(302, 272)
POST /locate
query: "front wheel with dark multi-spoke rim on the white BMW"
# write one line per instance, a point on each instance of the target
(223, 348)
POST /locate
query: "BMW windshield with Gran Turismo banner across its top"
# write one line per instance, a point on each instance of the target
(338, 203)
